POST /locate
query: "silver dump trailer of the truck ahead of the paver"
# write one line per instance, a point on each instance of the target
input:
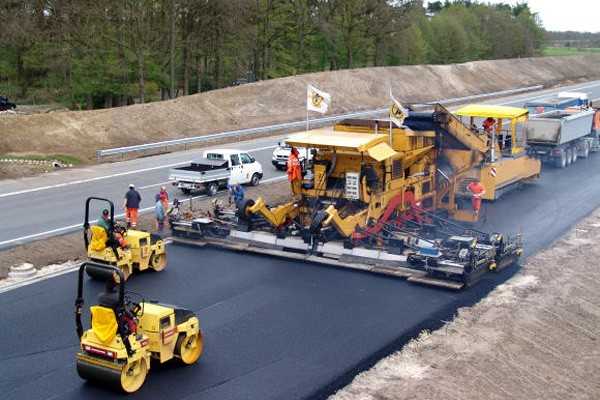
(561, 137)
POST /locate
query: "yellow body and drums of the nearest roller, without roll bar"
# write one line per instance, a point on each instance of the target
(163, 333)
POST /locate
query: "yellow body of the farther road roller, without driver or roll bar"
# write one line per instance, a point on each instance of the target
(139, 255)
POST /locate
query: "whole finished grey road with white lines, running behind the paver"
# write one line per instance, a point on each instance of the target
(51, 204)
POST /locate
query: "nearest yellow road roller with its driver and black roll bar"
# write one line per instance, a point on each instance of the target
(125, 335)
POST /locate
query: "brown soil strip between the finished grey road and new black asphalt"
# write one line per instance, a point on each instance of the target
(69, 247)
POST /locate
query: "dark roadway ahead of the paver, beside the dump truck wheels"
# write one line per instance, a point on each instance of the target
(549, 206)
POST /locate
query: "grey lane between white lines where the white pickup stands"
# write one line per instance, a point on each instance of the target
(48, 210)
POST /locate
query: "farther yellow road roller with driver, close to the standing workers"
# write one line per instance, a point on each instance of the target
(130, 250)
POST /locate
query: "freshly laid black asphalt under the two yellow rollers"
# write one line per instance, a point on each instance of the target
(273, 328)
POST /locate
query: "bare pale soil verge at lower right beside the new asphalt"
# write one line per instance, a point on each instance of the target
(535, 337)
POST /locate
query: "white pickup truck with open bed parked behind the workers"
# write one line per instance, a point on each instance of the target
(215, 170)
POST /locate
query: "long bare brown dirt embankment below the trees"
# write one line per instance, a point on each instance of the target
(81, 133)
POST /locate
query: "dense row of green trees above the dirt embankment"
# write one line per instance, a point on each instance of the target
(95, 54)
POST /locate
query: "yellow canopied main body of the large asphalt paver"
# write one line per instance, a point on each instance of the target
(346, 150)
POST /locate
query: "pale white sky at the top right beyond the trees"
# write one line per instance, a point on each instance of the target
(564, 15)
